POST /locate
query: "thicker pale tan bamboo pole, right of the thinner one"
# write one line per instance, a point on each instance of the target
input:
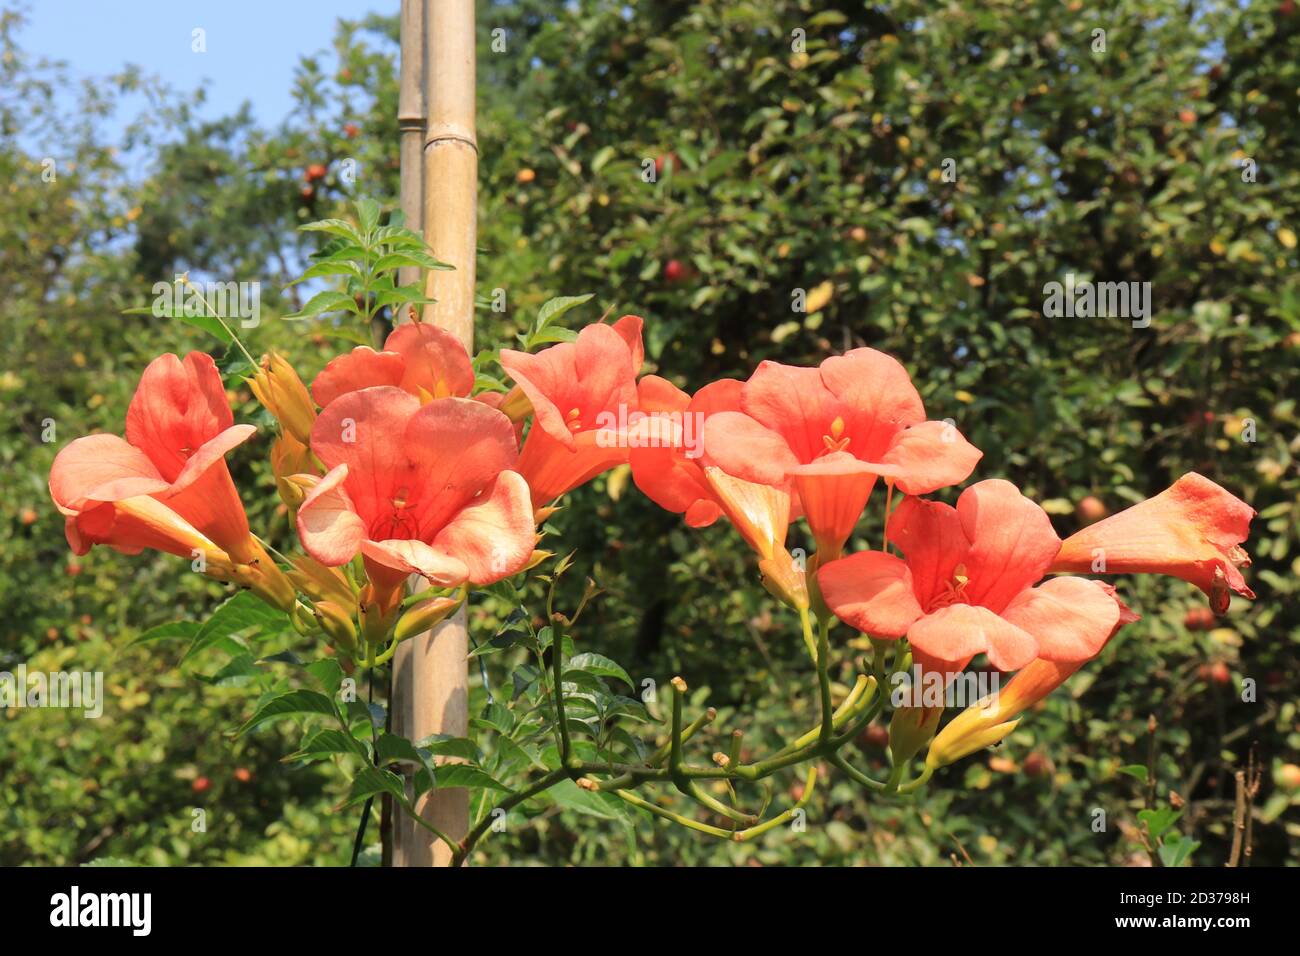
(437, 664)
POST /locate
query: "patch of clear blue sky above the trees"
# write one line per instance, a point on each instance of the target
(253, 46)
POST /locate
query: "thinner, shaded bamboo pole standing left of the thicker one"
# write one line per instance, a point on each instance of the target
(411, 126)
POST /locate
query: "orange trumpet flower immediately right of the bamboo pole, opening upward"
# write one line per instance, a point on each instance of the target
(582, 395)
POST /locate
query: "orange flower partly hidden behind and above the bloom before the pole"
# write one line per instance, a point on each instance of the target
(418, 358)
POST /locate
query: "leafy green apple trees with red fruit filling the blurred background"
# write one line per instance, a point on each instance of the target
(800, 152)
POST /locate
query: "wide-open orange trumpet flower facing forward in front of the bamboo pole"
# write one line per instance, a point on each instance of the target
(417, 490)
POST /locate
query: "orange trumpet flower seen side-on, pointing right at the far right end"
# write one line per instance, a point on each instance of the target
(1193, 530)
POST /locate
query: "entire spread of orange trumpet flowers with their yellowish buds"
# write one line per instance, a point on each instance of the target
(392, 466)
